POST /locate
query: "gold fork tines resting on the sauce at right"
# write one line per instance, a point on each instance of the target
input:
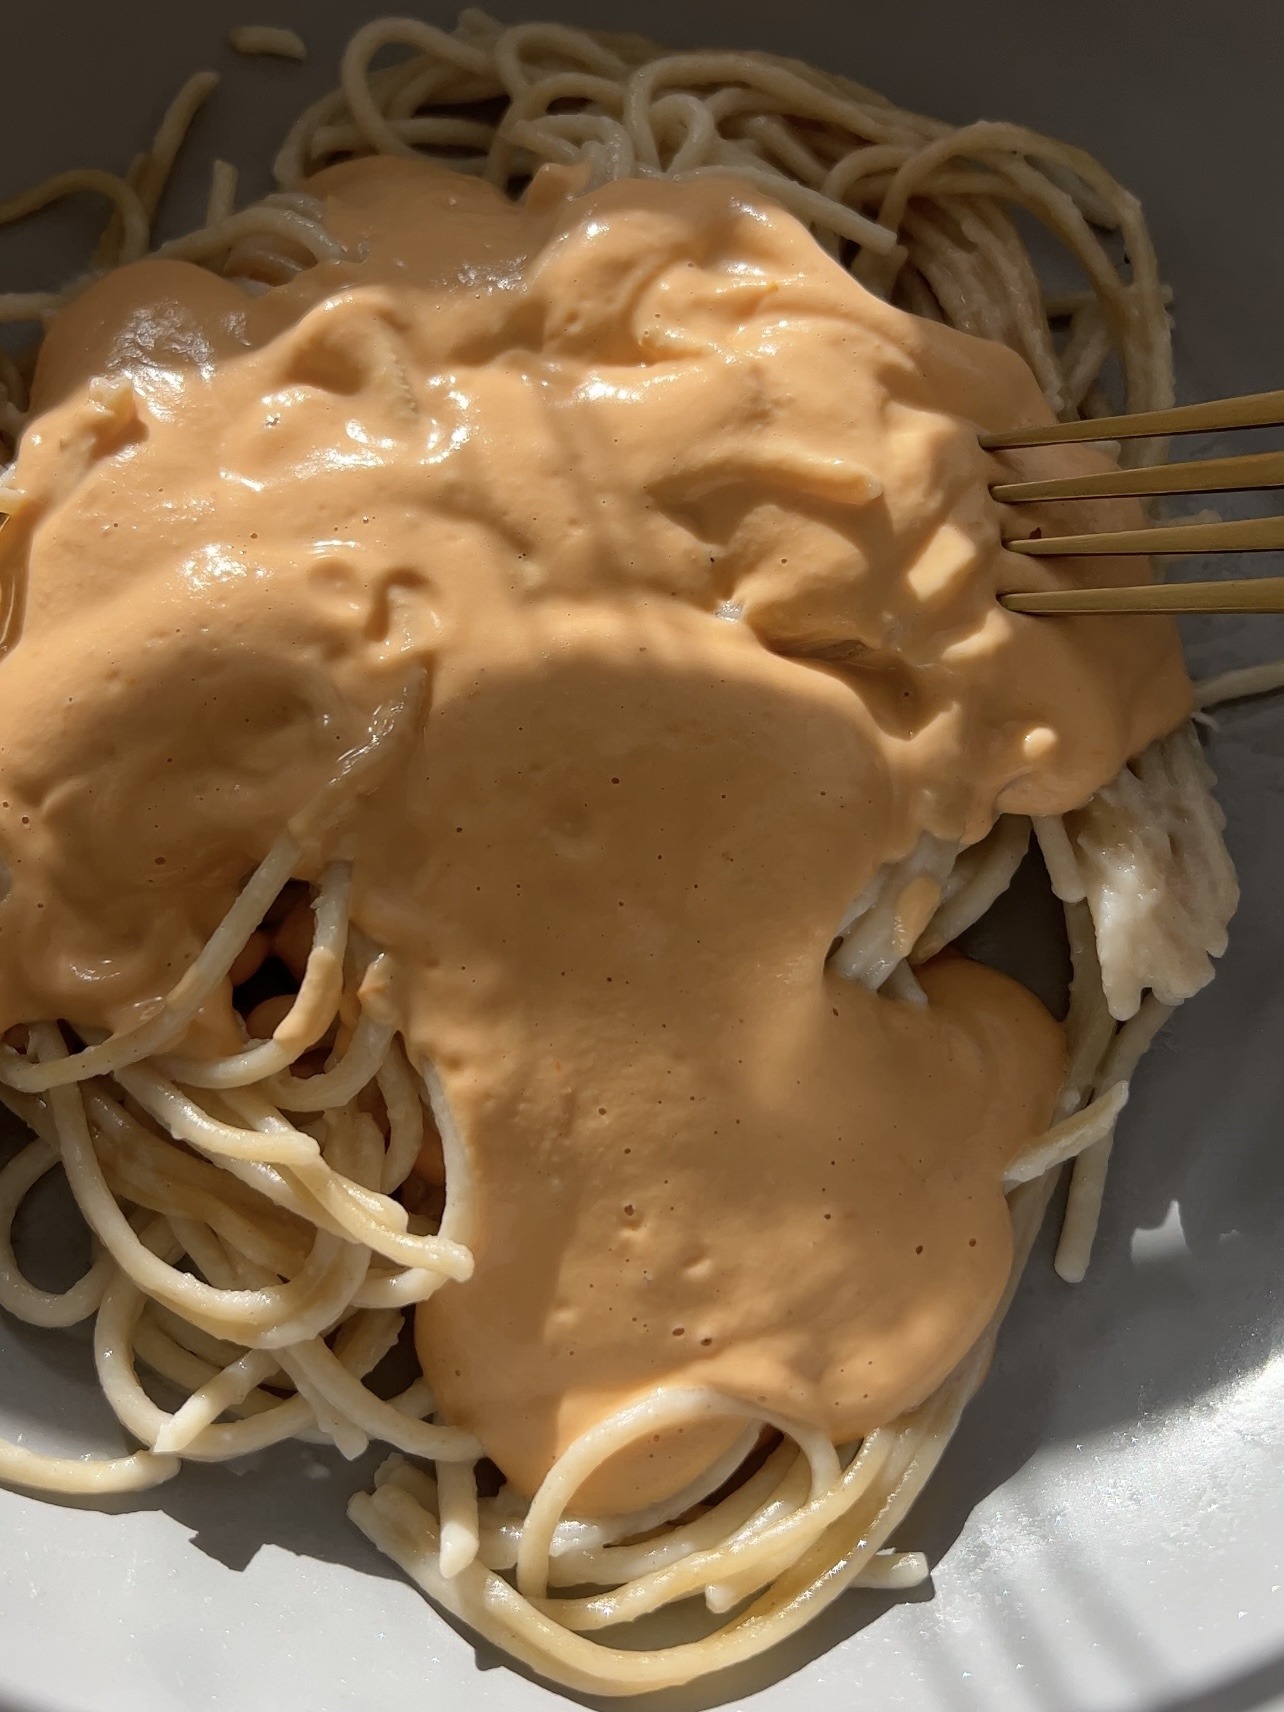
(1211, 475)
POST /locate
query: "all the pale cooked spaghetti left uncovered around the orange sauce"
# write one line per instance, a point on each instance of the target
(256, 1239)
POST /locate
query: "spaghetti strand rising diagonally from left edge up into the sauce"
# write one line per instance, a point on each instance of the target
(184, 1001)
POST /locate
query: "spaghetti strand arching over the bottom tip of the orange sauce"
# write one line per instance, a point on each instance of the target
(667, 1406)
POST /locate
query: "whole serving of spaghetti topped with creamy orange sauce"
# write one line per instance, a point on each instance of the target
(508, 718)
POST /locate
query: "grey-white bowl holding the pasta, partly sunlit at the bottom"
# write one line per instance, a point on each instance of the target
(1109, 1530)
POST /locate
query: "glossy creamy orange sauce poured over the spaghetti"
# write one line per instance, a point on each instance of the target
(669, 554)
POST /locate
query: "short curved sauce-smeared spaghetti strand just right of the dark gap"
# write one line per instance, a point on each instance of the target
(312, 1013)
